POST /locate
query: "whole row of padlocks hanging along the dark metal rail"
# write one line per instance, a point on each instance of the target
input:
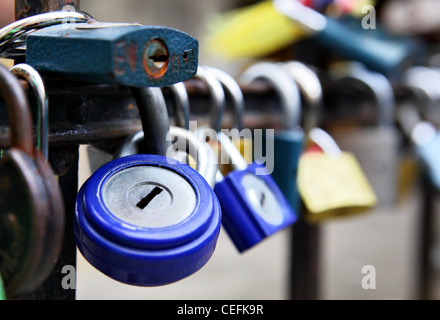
(152, 215)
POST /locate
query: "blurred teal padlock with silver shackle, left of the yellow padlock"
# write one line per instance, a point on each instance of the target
(282, 146)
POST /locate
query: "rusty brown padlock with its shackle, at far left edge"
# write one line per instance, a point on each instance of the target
(24, 202)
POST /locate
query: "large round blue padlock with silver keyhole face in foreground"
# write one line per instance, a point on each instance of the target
(147, 220)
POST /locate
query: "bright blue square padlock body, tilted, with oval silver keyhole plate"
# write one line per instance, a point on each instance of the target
(244, 223)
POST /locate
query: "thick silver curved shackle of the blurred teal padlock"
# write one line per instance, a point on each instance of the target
(283, 84)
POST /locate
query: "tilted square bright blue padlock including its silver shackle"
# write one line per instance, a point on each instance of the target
(253, 207)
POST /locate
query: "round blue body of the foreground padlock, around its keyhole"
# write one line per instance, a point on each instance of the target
(142, 254)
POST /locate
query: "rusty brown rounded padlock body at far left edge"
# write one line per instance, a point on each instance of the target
(23, 222)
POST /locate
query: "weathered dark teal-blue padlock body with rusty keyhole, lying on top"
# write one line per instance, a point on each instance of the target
(115, 53)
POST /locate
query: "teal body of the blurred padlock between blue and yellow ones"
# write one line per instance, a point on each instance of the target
(288, 145)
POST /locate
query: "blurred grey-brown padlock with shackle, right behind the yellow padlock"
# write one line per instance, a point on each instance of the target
(375, 146)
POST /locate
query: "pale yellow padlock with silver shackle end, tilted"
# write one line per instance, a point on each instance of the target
(331, 183)
